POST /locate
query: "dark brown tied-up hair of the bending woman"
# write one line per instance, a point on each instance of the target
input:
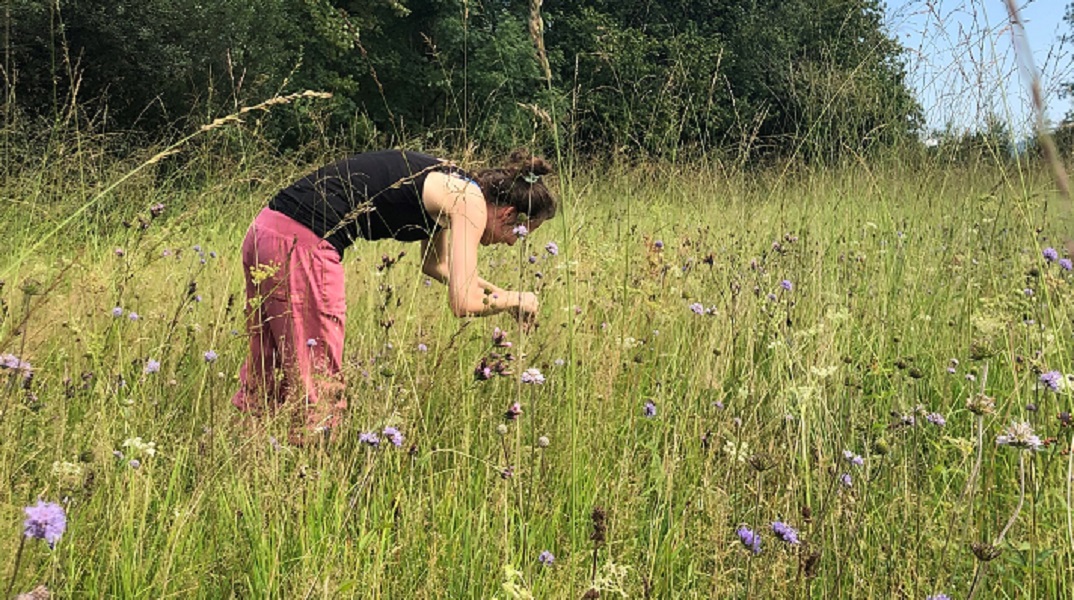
(519, 184)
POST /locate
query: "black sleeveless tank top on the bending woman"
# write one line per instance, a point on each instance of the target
(372, 196)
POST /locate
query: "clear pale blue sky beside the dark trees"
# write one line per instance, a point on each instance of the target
(963, 63)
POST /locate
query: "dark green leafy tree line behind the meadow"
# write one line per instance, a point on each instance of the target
(818, 79)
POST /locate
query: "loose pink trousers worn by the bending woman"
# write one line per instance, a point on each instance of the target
(296, 311)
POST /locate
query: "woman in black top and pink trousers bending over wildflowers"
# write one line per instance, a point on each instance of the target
(294, 251)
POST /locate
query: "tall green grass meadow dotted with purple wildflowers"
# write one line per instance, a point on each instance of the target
(718, 352)
